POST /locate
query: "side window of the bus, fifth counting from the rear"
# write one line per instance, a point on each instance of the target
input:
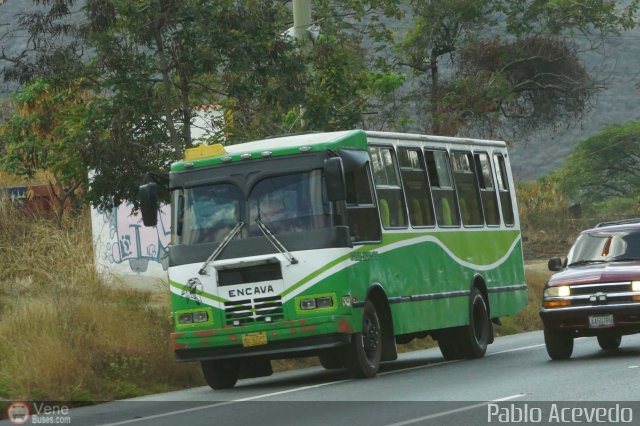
(416, 187)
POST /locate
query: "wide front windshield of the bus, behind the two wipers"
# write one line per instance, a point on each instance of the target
(286, 203)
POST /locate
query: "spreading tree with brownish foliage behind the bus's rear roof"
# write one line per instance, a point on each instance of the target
(512, 65)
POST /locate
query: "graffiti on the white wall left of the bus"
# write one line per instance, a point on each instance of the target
(130, 241)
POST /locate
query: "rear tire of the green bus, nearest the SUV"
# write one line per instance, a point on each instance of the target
(476, 336)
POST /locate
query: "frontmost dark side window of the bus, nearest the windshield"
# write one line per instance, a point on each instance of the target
(362, 214)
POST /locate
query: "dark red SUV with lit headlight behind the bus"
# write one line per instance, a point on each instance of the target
(596, 291)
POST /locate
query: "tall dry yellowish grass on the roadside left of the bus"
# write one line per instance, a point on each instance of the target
(65, 334)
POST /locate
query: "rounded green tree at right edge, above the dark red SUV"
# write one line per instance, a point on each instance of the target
(604, 165)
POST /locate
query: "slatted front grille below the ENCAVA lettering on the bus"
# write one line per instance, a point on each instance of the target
(260, 309)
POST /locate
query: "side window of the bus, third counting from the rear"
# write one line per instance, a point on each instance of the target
(467, 188)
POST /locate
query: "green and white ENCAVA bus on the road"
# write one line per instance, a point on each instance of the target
(339, 245)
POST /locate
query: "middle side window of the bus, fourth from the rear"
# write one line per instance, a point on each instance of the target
(444, 194)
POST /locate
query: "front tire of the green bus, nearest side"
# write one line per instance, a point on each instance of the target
(362, 356)
